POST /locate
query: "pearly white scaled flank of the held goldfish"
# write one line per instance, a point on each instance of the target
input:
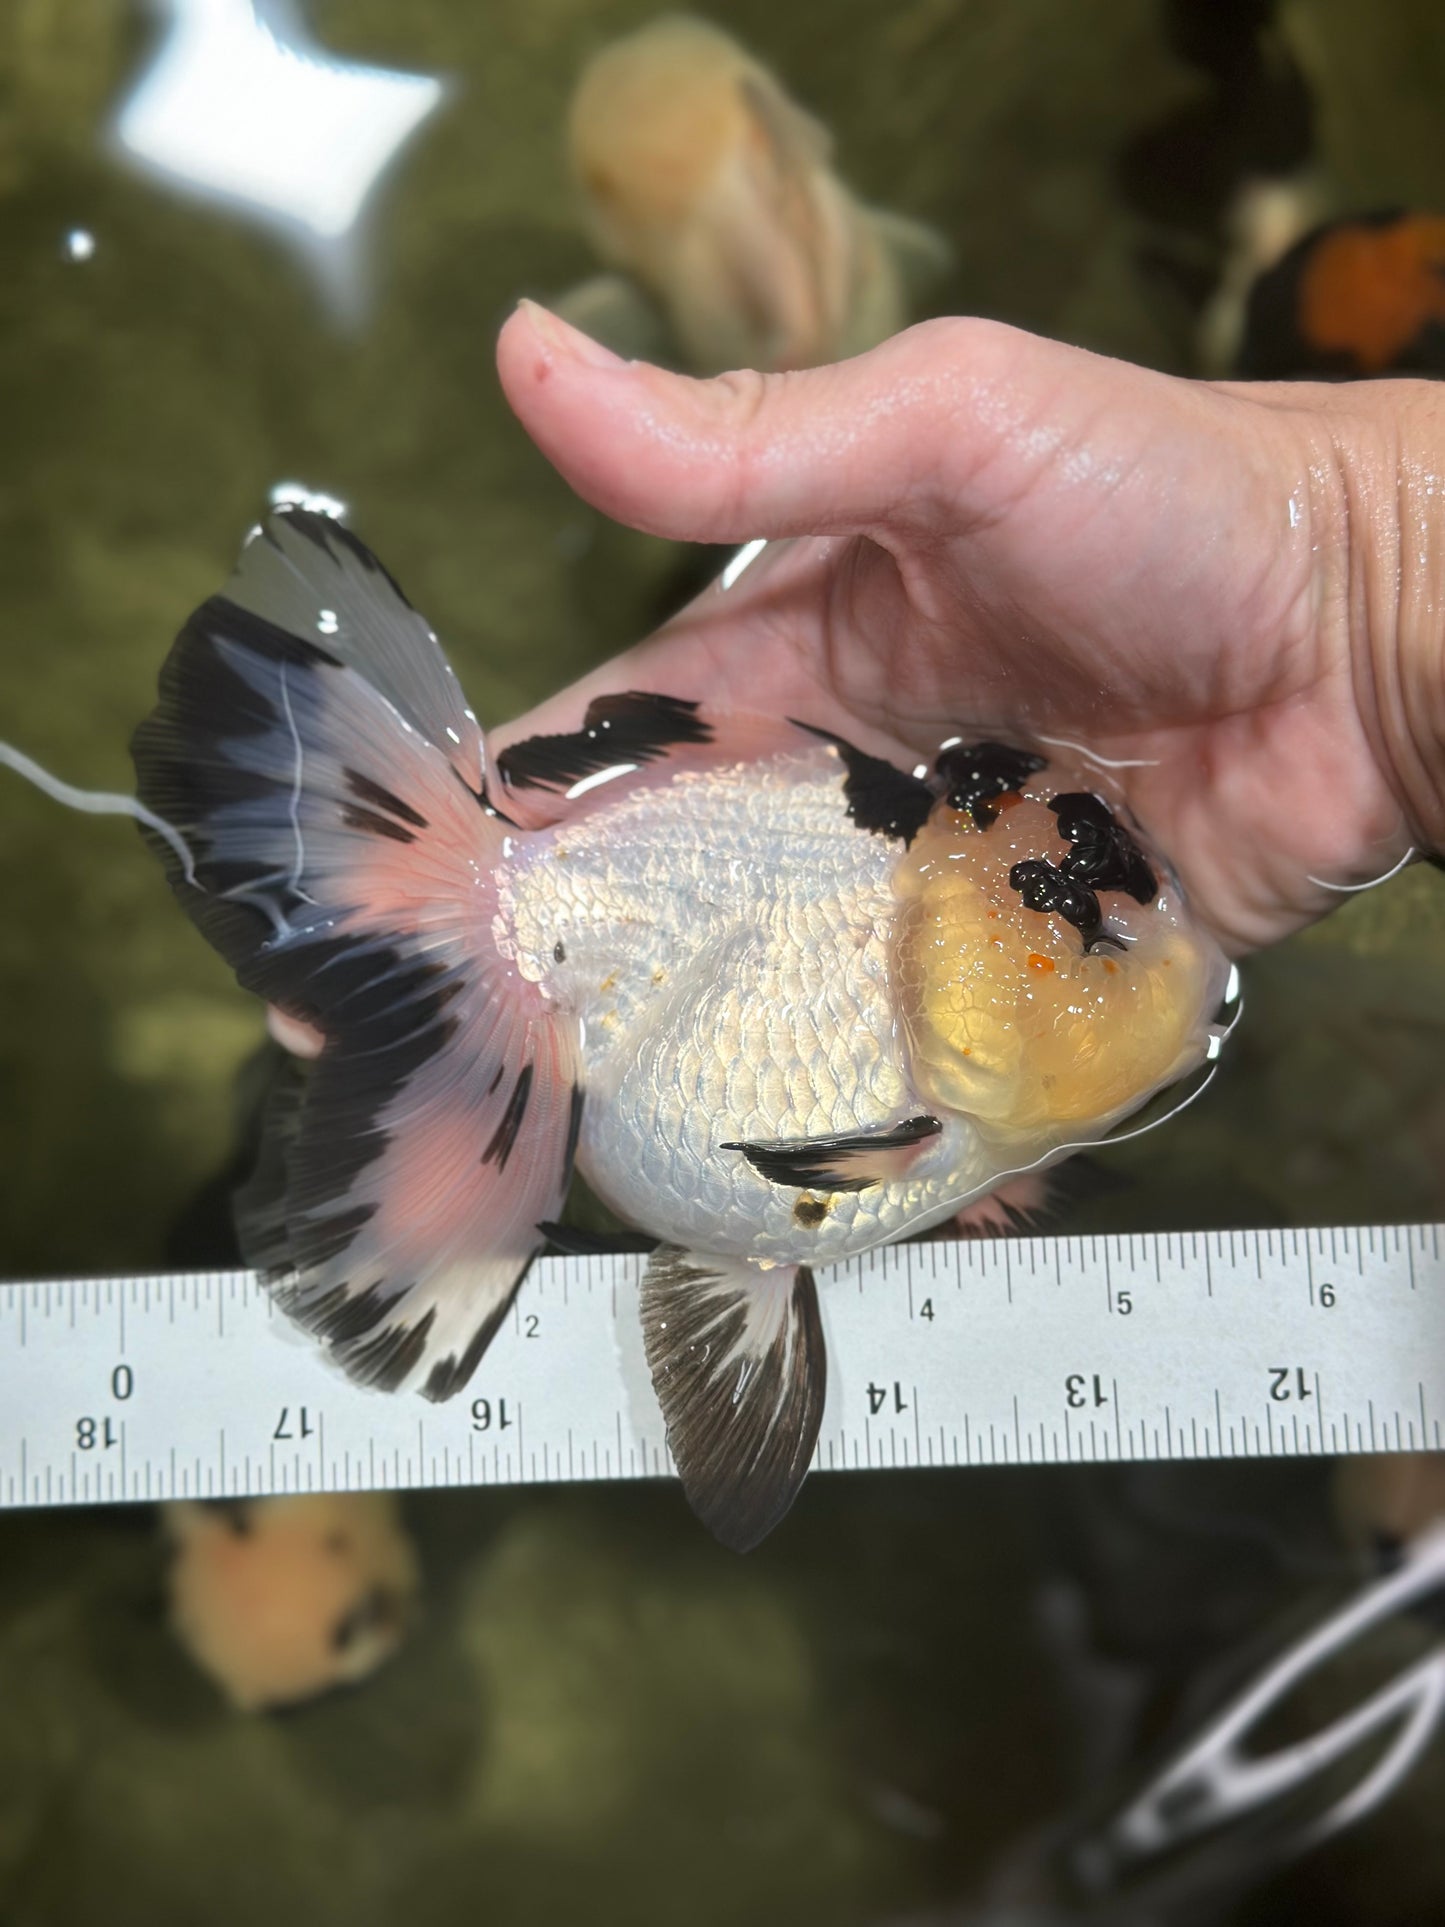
(774, 928)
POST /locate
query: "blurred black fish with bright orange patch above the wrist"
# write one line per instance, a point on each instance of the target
(1355, 298)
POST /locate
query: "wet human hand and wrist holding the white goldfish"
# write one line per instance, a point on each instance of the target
(1232, 593)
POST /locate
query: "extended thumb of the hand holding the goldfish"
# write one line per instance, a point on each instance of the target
(887, 438)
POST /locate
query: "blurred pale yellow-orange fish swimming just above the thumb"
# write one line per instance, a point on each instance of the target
(716, 192)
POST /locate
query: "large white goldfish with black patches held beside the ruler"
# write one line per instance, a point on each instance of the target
(775, 997)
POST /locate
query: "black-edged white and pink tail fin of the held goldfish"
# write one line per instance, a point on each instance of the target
(317, 758)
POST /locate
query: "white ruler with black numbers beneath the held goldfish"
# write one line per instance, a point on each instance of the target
(1014, 1352)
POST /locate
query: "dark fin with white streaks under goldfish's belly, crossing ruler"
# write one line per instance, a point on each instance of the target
(741, 1371)
